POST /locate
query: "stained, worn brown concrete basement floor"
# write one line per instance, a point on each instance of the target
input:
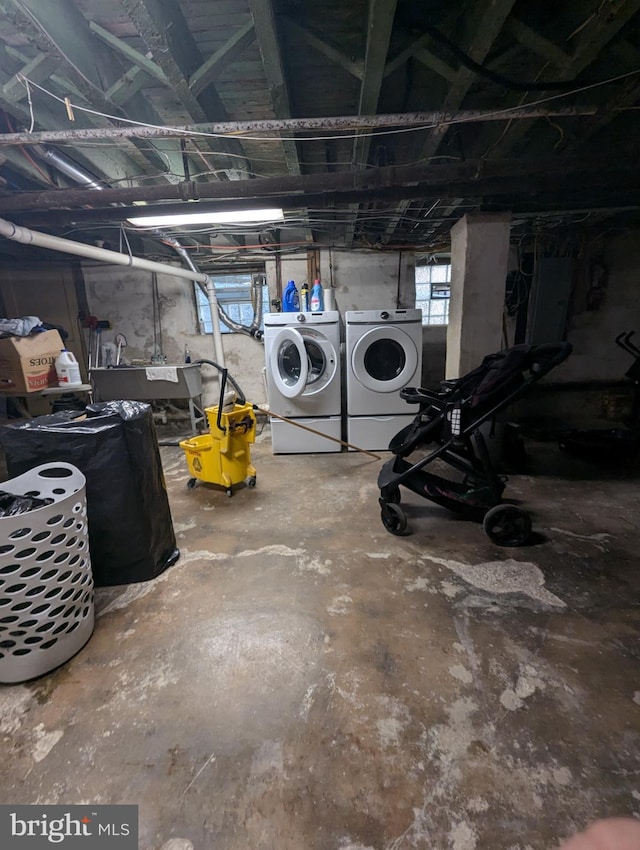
(303, 680)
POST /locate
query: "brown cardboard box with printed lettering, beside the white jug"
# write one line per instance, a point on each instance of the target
(27, 364)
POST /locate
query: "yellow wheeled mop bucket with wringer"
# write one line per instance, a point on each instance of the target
(223, 456)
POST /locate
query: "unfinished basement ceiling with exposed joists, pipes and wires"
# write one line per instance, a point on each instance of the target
(324, 109)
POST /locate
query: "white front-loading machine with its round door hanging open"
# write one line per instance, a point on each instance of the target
(302, 353)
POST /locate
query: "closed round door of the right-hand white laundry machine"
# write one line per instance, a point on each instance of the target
(384, 359)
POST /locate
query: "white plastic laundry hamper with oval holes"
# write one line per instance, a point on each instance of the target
(46, 585)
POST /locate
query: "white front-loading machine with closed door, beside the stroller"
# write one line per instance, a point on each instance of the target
(383, 354)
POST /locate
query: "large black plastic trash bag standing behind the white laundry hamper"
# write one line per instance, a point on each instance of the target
(131, 535)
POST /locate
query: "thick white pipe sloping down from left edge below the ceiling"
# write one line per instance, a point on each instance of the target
(68, 246)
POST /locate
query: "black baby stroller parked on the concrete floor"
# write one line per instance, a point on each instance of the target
(452, 419)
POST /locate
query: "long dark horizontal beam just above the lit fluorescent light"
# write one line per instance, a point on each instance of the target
(470, 179)
